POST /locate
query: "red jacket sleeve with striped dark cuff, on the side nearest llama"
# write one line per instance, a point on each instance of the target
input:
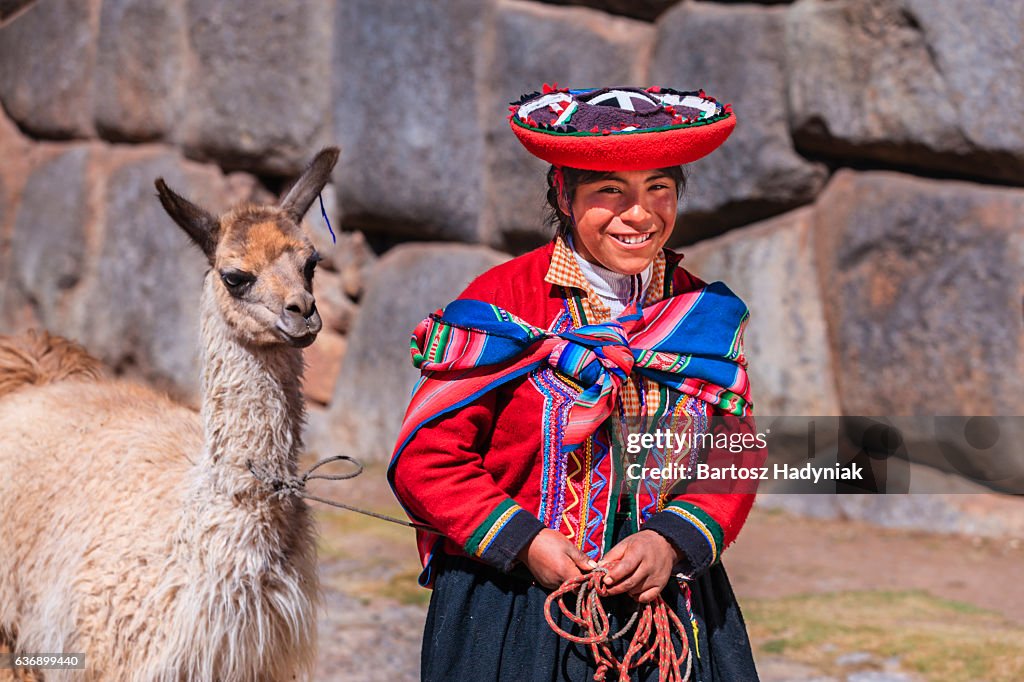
(441, 480)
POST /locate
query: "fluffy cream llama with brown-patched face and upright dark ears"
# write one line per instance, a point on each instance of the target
(132, 529)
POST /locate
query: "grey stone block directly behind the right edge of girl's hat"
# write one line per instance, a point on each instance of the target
(737, 54)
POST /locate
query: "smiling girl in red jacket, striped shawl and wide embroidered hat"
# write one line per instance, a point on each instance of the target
(513, 450)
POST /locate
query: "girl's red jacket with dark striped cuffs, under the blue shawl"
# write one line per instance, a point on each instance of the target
(483, 477)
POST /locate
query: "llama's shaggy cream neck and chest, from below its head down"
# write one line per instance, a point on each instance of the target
(240, 582)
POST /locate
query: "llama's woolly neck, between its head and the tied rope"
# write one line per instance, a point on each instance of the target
(252, 407)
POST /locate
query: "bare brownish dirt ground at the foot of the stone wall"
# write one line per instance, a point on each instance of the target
(372, 625)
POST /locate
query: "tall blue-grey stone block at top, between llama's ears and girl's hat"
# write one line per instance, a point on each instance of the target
(406, 115)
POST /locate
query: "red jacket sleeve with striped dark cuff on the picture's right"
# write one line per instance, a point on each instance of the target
(708, 517)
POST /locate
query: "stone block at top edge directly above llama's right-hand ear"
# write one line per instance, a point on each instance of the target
(259, 97)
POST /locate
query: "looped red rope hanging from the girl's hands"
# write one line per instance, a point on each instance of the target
(652, 640)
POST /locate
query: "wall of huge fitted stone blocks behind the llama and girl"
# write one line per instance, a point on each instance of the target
(869, 206)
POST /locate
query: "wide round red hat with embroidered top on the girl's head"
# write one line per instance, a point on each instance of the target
(610, 130)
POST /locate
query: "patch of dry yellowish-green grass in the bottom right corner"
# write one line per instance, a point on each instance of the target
(936, 638)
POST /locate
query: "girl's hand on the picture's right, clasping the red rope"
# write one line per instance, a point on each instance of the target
(641, 566)
